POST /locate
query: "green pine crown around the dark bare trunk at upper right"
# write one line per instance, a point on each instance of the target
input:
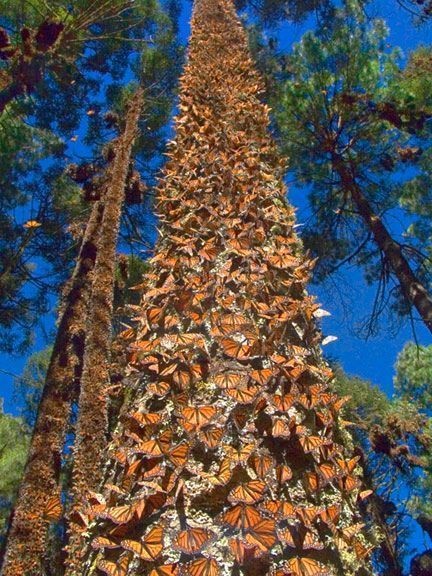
(346, 96)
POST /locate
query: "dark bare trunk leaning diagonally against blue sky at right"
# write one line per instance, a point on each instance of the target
(414, 291)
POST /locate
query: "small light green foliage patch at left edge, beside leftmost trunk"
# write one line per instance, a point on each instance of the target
(14, 440)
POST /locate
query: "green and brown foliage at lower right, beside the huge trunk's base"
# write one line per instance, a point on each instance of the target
(395, 437)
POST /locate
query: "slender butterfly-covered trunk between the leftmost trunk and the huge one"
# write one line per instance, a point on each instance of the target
(91, 429)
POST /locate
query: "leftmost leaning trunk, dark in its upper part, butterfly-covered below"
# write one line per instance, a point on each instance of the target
(27, 535)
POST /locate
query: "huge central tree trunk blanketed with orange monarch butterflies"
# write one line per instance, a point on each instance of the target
(230, 456)
